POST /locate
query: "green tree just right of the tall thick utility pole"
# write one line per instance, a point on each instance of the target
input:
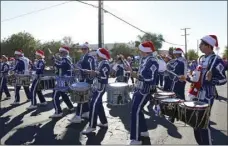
(121, 49)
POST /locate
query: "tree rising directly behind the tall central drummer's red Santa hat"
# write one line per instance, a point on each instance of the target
(157, 39)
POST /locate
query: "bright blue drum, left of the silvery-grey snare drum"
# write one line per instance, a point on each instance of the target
(63, 83)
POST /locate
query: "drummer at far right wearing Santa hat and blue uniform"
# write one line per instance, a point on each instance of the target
(213, 74)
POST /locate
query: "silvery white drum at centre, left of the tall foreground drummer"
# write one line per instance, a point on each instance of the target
(118, 93)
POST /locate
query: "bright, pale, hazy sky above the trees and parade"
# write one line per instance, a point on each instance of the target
(80, 21)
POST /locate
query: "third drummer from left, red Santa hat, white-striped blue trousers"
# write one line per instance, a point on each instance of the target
(39, 67)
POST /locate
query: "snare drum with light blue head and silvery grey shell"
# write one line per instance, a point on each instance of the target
(80, 92)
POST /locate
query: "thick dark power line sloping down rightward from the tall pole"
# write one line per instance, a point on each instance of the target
(106, 11)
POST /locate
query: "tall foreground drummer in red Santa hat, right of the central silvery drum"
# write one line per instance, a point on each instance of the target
(146, 83)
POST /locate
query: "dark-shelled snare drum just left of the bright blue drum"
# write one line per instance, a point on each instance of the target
(46, 83)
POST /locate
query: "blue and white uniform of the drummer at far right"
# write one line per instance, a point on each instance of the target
(207, 93)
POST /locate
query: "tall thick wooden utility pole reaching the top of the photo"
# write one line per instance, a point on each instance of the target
(100, 24)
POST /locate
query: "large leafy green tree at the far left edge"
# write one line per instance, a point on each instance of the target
(21, 40)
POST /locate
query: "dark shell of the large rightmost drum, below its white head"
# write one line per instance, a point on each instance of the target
(196, 118)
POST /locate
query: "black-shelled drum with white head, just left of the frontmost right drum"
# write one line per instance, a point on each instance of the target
(168, 107)
